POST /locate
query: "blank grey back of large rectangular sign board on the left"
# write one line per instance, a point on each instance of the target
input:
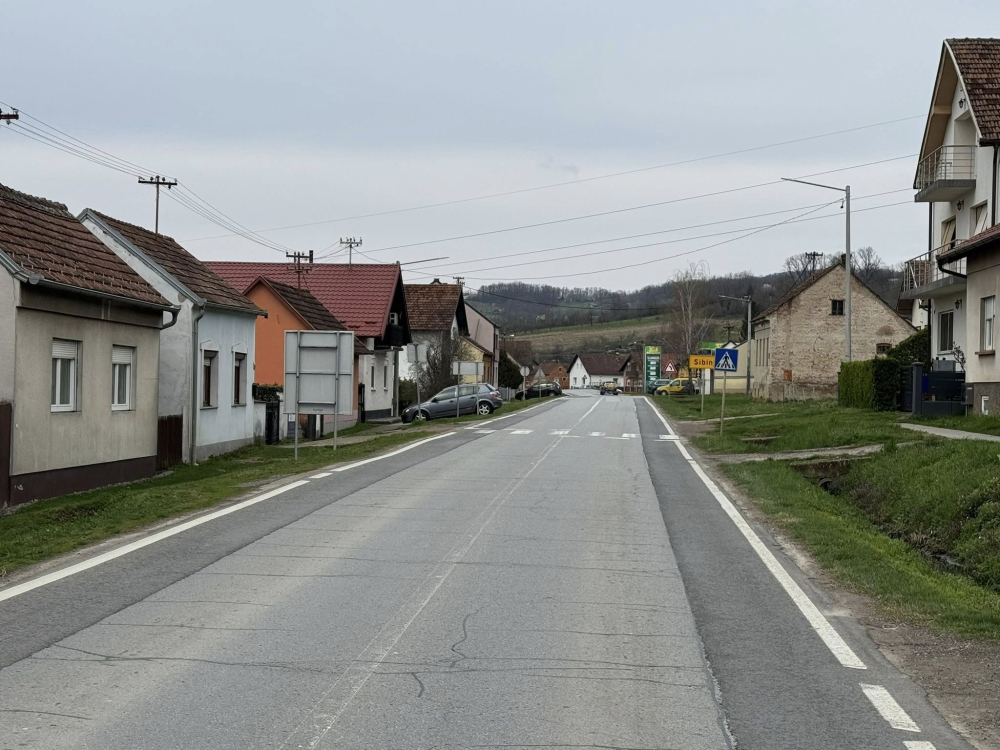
(319, 372)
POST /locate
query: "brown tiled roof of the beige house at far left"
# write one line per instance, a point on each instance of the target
(43, 237)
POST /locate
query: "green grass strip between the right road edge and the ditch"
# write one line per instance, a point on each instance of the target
(855, 552)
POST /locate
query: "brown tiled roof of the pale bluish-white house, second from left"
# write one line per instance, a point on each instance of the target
(177, 261)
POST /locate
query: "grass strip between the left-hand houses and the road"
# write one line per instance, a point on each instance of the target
(50, 527)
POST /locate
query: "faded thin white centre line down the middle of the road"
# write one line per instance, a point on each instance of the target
(328, 709)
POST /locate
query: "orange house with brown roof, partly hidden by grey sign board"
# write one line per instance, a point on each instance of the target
(292, 309)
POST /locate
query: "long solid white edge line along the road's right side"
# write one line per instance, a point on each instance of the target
(837, 645)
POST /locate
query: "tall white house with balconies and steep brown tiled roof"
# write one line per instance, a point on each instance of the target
(957, 179)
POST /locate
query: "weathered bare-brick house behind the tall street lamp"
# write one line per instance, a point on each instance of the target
(798, 343)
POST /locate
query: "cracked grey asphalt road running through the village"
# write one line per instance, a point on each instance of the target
(562, 578)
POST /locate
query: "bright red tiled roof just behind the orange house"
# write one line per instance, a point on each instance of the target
(360, 295)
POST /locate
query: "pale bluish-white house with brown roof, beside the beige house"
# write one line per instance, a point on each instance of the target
(207, 362)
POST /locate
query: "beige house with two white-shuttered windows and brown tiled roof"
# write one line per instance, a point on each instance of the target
(79, 356)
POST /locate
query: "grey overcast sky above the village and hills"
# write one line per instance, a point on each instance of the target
(291, 113)
